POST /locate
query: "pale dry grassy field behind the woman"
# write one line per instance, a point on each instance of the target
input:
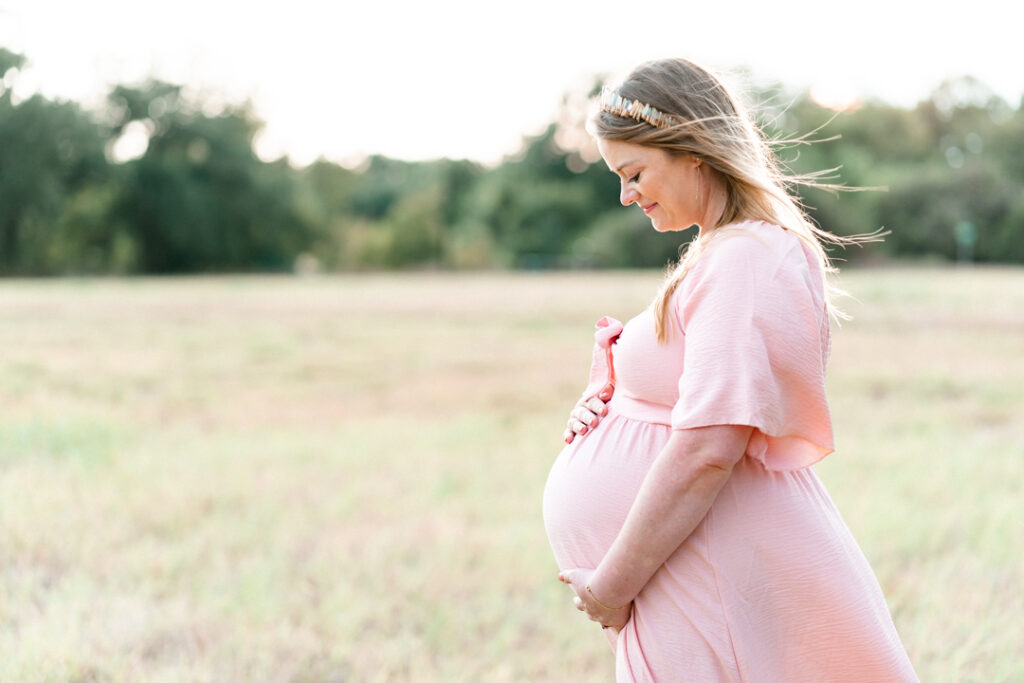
(339, 479)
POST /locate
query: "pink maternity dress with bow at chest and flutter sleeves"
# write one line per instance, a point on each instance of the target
(772, 586)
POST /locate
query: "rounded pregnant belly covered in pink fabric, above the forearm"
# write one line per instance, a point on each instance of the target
(593, 485)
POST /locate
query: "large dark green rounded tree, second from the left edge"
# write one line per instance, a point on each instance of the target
(199, 199)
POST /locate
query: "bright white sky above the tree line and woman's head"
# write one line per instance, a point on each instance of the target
(467, 79)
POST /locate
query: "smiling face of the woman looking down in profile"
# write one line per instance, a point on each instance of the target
(664, 186)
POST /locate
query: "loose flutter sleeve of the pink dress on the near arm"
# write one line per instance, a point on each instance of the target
(755, 350)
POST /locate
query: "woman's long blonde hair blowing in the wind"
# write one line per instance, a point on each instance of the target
(711, 126)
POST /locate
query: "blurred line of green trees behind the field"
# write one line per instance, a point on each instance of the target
(199, 199)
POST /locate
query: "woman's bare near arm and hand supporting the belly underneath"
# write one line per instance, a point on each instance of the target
(676, 495)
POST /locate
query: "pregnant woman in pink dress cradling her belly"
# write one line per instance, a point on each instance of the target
(685, 513)
